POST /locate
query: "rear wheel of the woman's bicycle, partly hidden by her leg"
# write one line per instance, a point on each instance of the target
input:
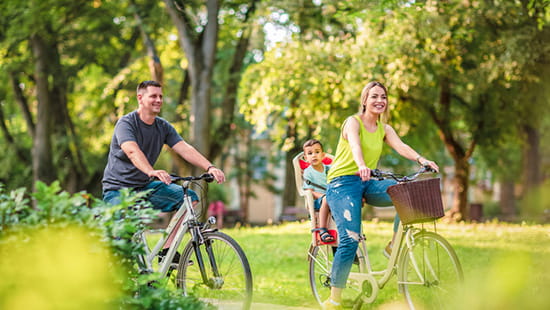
(320, 265)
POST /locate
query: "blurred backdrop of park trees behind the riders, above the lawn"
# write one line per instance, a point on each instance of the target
(247, 82)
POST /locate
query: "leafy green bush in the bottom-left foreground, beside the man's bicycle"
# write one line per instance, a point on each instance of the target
(49, 208)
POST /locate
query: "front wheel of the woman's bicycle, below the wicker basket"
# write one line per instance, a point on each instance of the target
(429, 272)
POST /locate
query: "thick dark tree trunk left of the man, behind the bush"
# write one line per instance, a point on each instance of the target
(53, 122)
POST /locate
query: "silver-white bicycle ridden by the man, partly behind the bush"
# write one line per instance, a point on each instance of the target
(212, 266)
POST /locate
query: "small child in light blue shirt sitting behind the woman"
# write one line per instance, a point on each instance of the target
(315, 180)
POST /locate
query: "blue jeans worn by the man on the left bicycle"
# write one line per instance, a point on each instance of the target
(165, 197)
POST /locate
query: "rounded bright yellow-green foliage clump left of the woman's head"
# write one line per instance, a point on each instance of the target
(307, 93)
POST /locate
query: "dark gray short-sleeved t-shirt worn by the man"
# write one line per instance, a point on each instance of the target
(120, 172)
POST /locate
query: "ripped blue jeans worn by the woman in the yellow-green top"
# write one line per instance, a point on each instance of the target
(344, 197)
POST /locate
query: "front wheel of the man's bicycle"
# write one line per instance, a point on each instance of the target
(227, 281)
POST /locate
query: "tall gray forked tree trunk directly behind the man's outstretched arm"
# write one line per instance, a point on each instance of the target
(198, 33)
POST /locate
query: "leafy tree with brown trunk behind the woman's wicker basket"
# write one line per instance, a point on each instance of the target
(462, 78)
